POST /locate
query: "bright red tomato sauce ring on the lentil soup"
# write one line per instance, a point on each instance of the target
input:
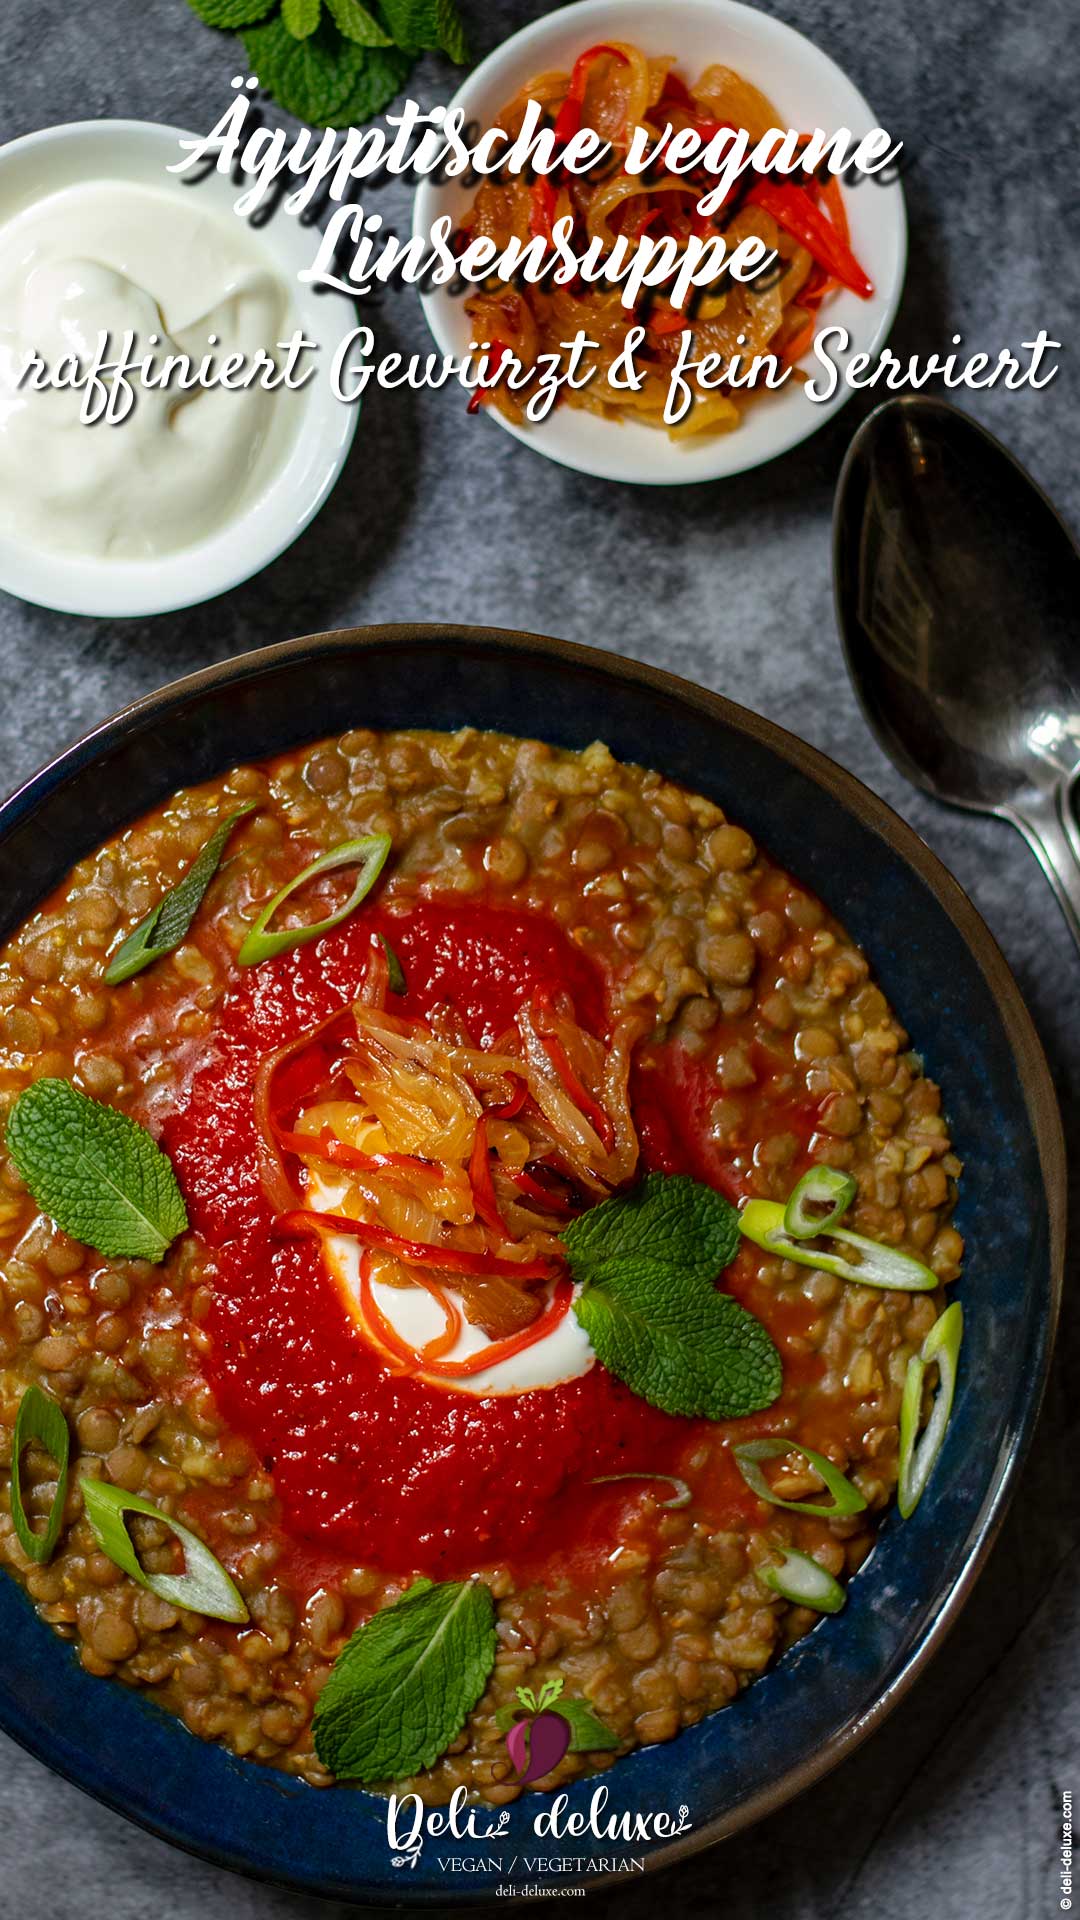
(389, 1472)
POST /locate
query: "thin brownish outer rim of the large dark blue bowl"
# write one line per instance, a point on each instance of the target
(902, 840)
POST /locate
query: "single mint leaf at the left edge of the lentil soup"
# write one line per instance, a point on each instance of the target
(95, 1172)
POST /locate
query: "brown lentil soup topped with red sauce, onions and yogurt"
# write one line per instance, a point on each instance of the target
(574, 972)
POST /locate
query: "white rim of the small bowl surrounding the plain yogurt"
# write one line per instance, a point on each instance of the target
(141, 153)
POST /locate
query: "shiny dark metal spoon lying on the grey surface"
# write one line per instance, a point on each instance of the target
(958, 598)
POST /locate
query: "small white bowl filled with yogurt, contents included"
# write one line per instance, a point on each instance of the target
(193, 487)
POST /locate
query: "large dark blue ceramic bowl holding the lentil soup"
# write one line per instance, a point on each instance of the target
(948, 984)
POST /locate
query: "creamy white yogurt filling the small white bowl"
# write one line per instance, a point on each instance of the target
(124, 258)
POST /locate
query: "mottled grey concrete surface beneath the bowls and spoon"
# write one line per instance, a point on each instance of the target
(952, 1810)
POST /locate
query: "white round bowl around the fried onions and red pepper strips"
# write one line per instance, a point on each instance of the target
(808, 89)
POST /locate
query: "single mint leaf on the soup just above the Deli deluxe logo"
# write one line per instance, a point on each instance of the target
(406, 1683)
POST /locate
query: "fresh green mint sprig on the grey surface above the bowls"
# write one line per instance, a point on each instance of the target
(337, 62)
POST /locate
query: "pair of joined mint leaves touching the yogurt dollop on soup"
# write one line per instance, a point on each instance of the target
(647, 1262)
